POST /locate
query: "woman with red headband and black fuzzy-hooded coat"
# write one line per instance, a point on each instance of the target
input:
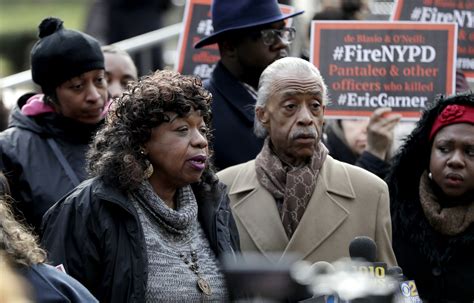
(431, 186)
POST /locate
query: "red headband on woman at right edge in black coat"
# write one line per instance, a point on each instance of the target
(452, 114)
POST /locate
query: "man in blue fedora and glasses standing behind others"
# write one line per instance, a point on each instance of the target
(250, 36)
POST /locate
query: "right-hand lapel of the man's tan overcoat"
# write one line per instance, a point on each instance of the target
(324, 214)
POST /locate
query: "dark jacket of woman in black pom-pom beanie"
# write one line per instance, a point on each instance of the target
(36, 176)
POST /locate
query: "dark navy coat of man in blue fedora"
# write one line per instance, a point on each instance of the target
(233, 116)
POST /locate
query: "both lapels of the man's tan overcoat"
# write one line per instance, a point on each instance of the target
(257, 210)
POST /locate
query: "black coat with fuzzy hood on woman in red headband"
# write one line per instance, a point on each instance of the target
(442, 266)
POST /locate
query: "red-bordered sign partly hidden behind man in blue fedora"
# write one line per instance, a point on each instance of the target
(197, 25)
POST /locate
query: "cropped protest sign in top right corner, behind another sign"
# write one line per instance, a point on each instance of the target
(459, 11)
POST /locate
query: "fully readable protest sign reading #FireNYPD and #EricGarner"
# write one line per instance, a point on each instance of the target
(366, 65)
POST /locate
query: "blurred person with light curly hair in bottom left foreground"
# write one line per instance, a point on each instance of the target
(20, 252)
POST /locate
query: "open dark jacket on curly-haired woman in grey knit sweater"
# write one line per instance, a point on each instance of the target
(96, 234)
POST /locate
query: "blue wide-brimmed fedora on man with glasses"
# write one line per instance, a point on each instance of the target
(228, 15)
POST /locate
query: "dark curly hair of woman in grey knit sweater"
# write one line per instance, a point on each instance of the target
(115, 153)
